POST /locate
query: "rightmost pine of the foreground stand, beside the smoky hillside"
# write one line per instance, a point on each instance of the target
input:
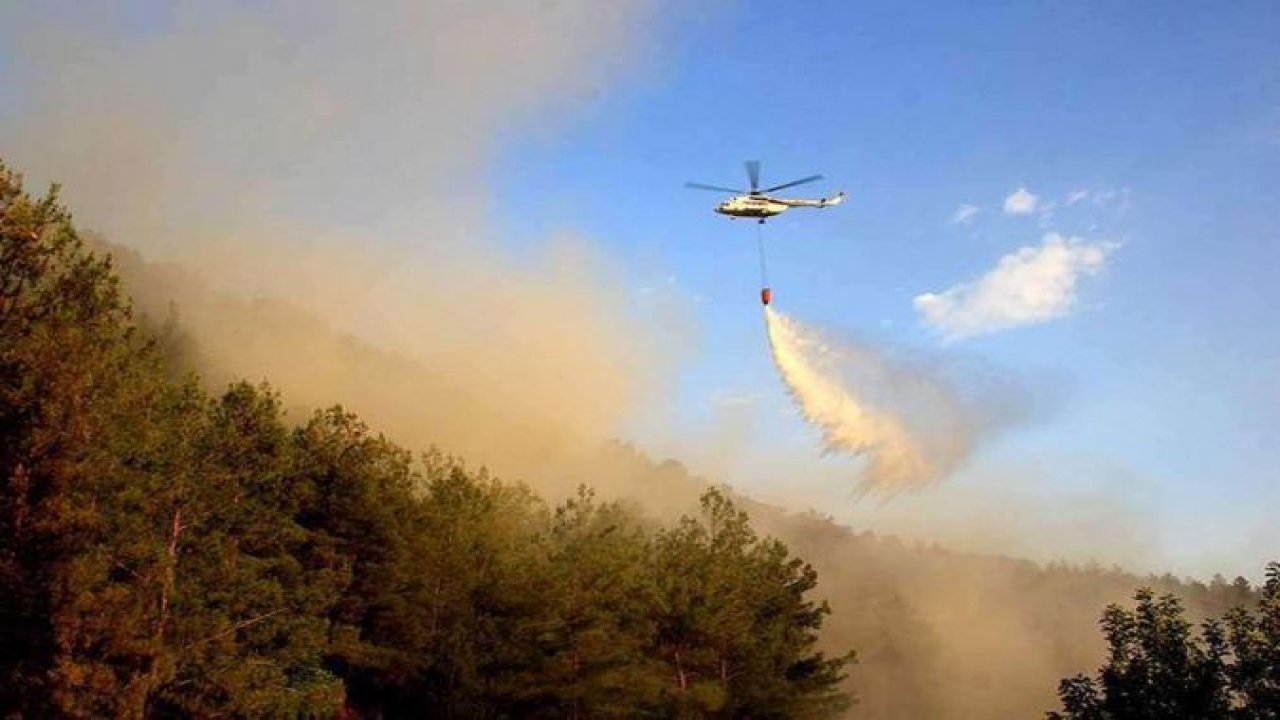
(735, 627)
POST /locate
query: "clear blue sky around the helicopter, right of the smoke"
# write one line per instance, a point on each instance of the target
(1169, 366)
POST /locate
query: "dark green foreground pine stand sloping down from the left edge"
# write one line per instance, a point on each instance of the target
(168, 553)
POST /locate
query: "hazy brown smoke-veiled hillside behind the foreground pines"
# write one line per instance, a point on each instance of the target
(939, 634)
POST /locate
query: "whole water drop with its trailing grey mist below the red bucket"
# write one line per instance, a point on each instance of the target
(909, 425)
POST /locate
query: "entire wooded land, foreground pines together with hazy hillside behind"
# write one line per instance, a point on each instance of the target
(179, 543)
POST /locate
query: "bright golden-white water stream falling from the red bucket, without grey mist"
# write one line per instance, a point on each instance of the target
(849, 425)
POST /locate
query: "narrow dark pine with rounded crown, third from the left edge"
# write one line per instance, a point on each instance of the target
(356, 498)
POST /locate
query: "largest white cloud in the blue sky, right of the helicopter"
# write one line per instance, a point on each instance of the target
(1028, 286)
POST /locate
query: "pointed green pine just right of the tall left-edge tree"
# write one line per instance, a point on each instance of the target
(249, 618)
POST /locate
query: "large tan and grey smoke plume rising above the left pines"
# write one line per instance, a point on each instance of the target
(309, 185)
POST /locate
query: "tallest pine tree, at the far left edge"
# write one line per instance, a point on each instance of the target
(74, 376)
